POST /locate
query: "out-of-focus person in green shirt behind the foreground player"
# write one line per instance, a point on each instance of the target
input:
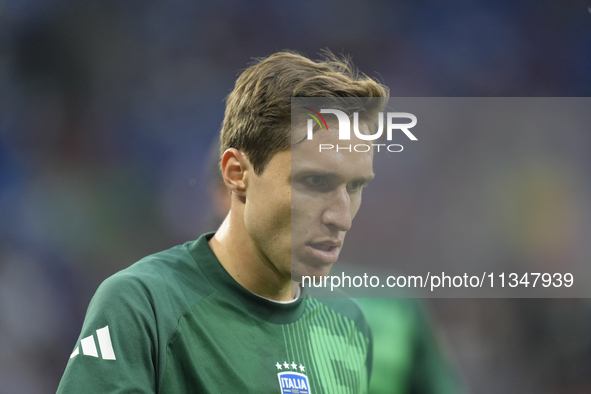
(407, 355)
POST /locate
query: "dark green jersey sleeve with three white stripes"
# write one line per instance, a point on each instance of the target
(116, 351)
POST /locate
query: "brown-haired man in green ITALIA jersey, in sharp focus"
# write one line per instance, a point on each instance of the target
(225, 314)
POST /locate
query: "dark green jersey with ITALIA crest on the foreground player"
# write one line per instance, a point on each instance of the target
(177, 322)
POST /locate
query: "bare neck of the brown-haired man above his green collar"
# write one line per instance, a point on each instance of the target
(240, 257)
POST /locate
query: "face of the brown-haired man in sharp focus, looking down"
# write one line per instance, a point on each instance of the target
(303, 203)
